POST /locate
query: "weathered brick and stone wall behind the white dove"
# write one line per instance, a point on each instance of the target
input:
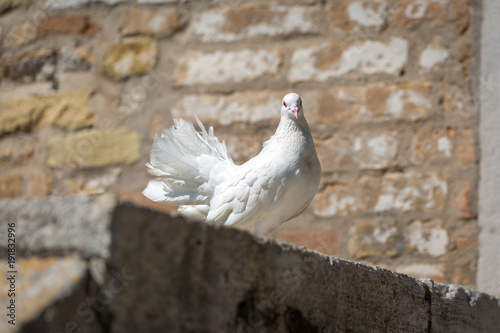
(389, 88)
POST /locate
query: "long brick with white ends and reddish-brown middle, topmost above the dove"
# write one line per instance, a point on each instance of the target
(230, 23)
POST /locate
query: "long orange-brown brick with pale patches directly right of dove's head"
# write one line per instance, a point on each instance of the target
(368, 103)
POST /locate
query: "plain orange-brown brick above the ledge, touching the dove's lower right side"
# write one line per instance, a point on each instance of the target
(325, 241)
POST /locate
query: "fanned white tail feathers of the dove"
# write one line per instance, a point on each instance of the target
(183, 160)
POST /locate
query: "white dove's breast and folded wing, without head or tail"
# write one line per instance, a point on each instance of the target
(271, 188)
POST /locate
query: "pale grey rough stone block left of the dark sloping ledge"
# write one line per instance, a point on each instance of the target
(59, 225)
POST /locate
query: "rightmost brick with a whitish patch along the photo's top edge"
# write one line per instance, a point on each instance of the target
(413, 13)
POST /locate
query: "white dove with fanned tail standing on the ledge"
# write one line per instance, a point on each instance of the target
(195, 171)
